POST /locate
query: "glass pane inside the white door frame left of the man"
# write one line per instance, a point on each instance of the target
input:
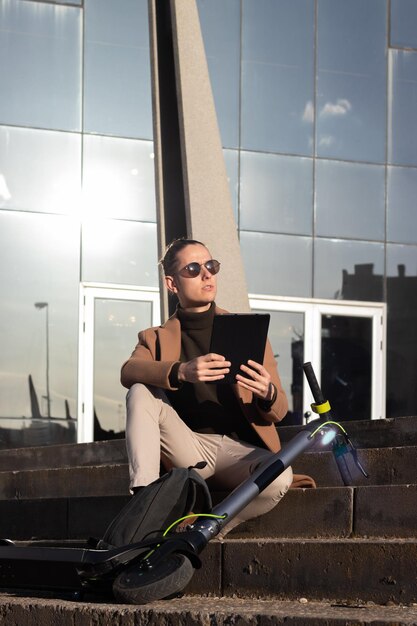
(116, 323)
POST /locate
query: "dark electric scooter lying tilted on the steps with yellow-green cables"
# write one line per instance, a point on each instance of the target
(162, 567)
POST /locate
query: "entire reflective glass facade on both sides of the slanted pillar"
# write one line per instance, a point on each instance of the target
(317, 109)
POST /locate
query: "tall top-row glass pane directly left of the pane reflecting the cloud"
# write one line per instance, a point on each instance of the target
(277, 75)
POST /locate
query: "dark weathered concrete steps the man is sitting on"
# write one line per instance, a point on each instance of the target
(335, 546)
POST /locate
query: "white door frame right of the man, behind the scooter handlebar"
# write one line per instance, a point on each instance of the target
(313, 309)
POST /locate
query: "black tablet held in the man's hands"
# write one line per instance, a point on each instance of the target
(239, 337)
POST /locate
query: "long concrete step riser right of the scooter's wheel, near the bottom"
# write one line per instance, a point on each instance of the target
(348, 570)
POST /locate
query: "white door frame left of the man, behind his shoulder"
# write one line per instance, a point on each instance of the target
(89, 292)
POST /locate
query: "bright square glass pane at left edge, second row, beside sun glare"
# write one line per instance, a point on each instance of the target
(40, 170)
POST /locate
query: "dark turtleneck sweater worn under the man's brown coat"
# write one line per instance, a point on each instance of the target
(206, 407)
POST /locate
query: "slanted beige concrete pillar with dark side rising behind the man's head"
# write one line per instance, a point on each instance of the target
(192, 190)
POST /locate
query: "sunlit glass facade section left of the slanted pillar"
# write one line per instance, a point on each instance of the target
(77, 200)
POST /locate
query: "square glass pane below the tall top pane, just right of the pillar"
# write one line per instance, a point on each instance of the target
(276, 193)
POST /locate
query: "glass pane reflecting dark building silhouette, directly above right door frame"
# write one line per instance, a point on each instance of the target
(348, 270)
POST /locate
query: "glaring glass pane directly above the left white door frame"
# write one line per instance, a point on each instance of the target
(119, 252)
